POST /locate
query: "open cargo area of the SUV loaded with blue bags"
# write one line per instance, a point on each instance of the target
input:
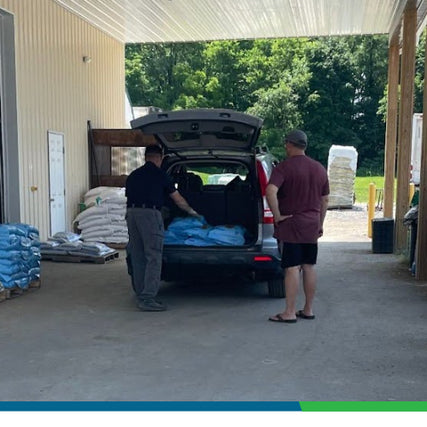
(224, 194)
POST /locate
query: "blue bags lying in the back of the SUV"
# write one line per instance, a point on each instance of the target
(196, 232)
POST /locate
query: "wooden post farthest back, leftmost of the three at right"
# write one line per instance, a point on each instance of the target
(391, 126)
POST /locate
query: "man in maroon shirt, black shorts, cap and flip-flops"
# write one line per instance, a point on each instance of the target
(297, 194)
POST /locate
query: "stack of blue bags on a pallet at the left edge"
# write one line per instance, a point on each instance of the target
(19, 255)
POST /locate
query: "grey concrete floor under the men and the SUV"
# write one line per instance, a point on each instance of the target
(80, 337)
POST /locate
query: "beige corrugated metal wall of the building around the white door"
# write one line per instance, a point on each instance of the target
(59, 92)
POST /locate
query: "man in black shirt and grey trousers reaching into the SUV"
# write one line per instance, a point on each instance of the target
(145, 190)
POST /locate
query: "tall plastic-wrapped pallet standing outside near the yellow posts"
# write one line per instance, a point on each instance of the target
(342, 166)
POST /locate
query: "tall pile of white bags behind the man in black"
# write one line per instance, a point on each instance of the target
(104, 219)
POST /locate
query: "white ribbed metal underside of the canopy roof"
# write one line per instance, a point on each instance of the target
(153, 21)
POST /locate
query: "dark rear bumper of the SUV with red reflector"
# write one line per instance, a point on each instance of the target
(182, 265)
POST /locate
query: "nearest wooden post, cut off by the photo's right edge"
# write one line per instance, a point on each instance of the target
(421, 249)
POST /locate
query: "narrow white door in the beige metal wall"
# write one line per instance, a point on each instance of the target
(56, 182)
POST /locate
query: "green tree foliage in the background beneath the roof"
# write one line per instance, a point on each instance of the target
(333, 88)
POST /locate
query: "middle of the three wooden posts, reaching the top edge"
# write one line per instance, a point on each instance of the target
(405, 124)
